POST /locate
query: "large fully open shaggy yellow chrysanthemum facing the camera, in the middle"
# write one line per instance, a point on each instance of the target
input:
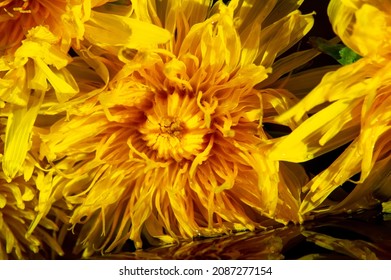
(175, 147)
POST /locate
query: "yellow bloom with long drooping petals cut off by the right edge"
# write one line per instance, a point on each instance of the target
(355, 108)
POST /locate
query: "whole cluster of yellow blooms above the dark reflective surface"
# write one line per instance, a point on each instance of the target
(145, 120)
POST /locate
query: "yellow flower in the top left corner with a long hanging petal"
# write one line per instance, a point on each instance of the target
(34, 72)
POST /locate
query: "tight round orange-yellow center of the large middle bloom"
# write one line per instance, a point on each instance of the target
(174, 128)
